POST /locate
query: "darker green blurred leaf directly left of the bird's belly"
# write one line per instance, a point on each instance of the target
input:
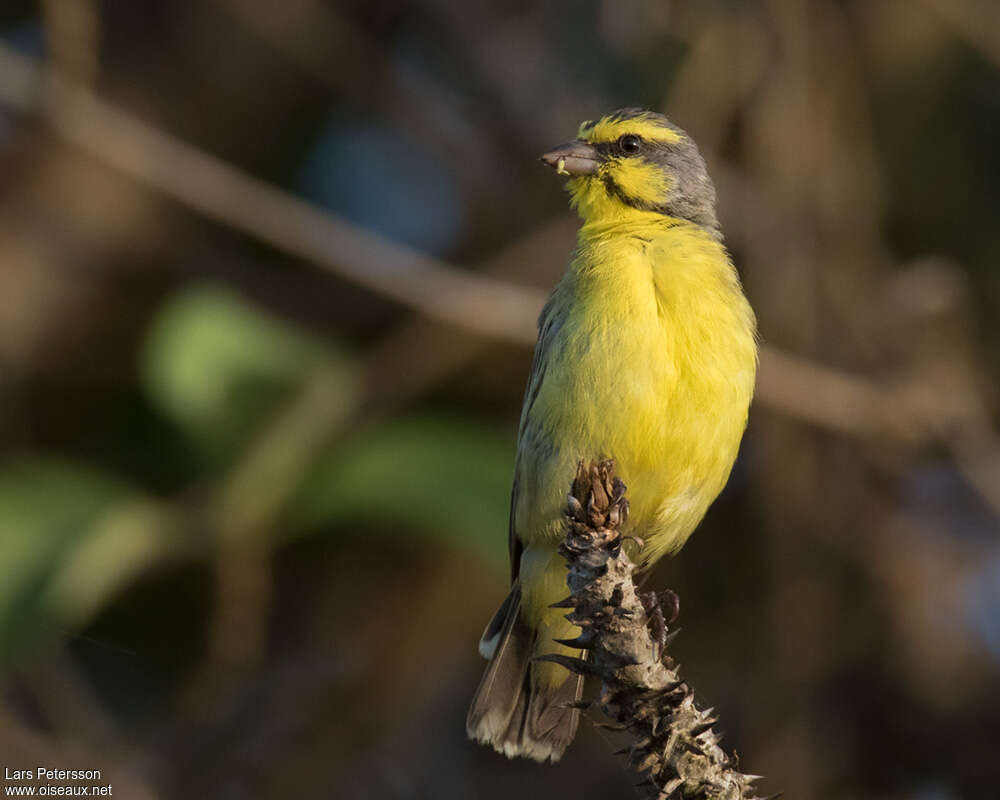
(446, 477)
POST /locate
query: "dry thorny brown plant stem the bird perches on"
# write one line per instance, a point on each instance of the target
(675, 748)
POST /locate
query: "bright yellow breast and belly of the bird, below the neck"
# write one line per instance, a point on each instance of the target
(650, 359)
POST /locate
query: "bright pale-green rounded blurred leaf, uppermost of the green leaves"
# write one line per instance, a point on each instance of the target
(217, 366)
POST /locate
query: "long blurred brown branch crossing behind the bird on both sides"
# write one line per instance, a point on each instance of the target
(479, 304)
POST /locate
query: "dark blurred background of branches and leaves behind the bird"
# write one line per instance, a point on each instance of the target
(257, 451)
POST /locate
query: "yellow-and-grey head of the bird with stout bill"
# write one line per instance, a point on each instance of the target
(635, 161)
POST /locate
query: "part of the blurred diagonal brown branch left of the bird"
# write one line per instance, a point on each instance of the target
(202, 182)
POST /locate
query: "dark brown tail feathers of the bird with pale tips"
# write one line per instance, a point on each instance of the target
(510, 710)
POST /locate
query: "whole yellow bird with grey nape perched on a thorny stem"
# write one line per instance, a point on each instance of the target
(646, 354)
